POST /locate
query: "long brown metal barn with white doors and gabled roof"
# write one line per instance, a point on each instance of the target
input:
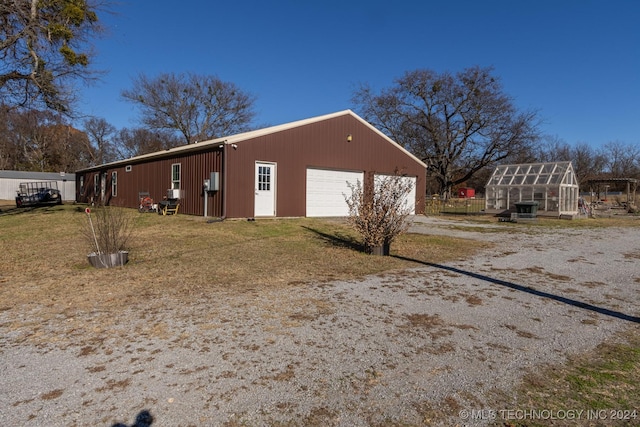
(292, 170)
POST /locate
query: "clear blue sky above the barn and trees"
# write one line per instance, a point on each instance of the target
(577, 62)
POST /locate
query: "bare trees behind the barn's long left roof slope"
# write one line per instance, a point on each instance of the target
(44, 140)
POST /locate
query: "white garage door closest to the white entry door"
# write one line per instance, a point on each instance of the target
(326, 190)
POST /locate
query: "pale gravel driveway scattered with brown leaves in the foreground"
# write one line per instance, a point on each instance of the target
(417, 346)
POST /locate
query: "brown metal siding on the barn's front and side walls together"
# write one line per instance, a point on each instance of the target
(320, 145)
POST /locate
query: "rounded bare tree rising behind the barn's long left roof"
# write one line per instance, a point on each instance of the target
(195, 106)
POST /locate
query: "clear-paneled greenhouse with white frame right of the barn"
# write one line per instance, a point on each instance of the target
(552, 185)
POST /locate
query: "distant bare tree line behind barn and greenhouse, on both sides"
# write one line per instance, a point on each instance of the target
(461, 126)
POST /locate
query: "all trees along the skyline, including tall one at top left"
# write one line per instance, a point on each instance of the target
(460, 124)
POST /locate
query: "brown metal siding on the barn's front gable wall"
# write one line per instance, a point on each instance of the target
(322, 145)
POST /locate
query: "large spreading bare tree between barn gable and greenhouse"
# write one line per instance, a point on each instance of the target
(458, 124)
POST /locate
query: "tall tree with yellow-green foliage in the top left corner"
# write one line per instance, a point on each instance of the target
(44, 47)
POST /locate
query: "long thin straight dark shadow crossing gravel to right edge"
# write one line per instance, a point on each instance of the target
(521, 288)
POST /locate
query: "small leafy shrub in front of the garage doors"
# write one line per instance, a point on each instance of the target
(381, 214)
